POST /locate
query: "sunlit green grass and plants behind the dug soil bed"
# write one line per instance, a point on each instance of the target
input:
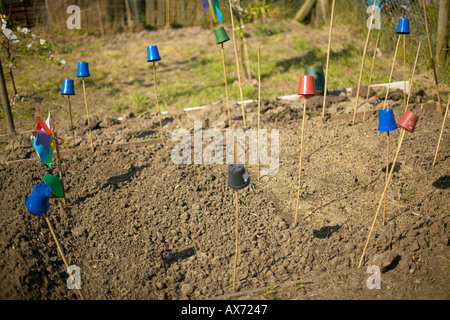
(191, 75)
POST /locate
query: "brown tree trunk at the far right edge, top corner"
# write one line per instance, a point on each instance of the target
(442, 37)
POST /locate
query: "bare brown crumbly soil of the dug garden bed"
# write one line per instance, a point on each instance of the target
(141, 227)
